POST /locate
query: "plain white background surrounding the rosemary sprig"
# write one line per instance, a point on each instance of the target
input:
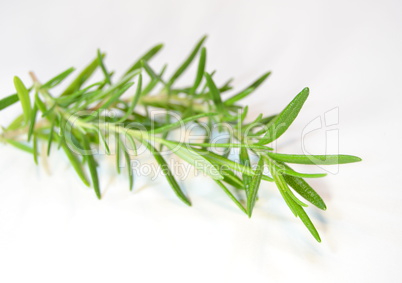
(52, 229)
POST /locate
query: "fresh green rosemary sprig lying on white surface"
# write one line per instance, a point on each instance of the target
(78, 119)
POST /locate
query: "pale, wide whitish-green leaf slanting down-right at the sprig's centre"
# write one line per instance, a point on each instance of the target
(192, 157)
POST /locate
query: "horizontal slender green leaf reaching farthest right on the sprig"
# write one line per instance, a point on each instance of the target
(314, 159)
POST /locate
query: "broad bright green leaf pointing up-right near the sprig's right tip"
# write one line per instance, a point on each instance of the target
(282, 122)
